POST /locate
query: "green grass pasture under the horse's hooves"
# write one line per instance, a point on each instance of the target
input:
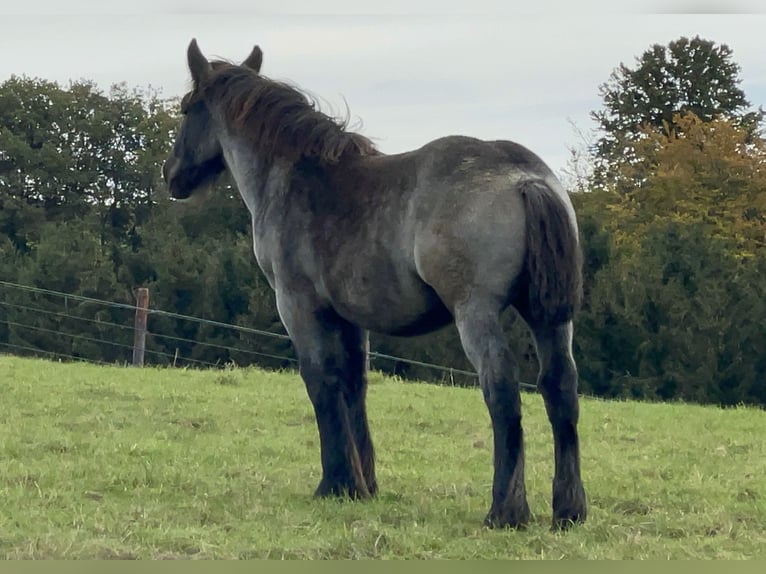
(109, 462)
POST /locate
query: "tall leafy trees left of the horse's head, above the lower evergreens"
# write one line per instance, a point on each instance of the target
(69, 152)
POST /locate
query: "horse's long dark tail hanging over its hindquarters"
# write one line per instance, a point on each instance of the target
(554, 257)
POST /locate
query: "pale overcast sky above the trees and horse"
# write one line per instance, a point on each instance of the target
(409, 71)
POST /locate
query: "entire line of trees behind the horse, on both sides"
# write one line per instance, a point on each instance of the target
(671, 200)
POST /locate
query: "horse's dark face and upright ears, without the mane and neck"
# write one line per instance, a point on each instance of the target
(196, 160)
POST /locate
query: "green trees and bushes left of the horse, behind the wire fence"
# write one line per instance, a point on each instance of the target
(83, 211)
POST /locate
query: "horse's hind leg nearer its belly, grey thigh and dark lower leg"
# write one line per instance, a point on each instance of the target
(486, 347)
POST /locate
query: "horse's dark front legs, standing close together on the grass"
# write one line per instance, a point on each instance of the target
(331, 360)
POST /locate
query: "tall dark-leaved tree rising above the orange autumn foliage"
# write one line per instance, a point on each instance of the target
(694, 76)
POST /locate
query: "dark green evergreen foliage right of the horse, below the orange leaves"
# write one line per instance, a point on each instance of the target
(679, 319)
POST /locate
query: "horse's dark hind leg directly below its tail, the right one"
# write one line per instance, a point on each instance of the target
(557, 382)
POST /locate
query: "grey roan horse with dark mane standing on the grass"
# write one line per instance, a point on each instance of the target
(353, 240)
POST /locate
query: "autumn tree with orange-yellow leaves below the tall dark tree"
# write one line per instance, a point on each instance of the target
(711, 173)
